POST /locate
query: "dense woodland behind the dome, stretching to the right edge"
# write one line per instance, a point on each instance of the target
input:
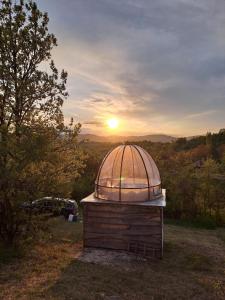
(192, 171)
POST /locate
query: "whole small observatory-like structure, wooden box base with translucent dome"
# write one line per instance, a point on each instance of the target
(126, 210)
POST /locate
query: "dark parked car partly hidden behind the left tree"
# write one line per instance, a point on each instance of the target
(51, 205)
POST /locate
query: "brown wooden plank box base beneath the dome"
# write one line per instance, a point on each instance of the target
(133, 228)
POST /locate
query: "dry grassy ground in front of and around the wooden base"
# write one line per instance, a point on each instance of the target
(193, 267)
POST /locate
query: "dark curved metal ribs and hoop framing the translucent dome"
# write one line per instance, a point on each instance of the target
(149, 187)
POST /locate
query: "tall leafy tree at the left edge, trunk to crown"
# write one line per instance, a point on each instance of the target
(38, 153)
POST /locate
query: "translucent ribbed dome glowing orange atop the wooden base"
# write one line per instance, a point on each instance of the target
(128, 174)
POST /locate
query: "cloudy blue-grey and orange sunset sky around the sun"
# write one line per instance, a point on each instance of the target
(156, 66)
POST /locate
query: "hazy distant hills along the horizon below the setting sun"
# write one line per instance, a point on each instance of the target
(163, 138)
